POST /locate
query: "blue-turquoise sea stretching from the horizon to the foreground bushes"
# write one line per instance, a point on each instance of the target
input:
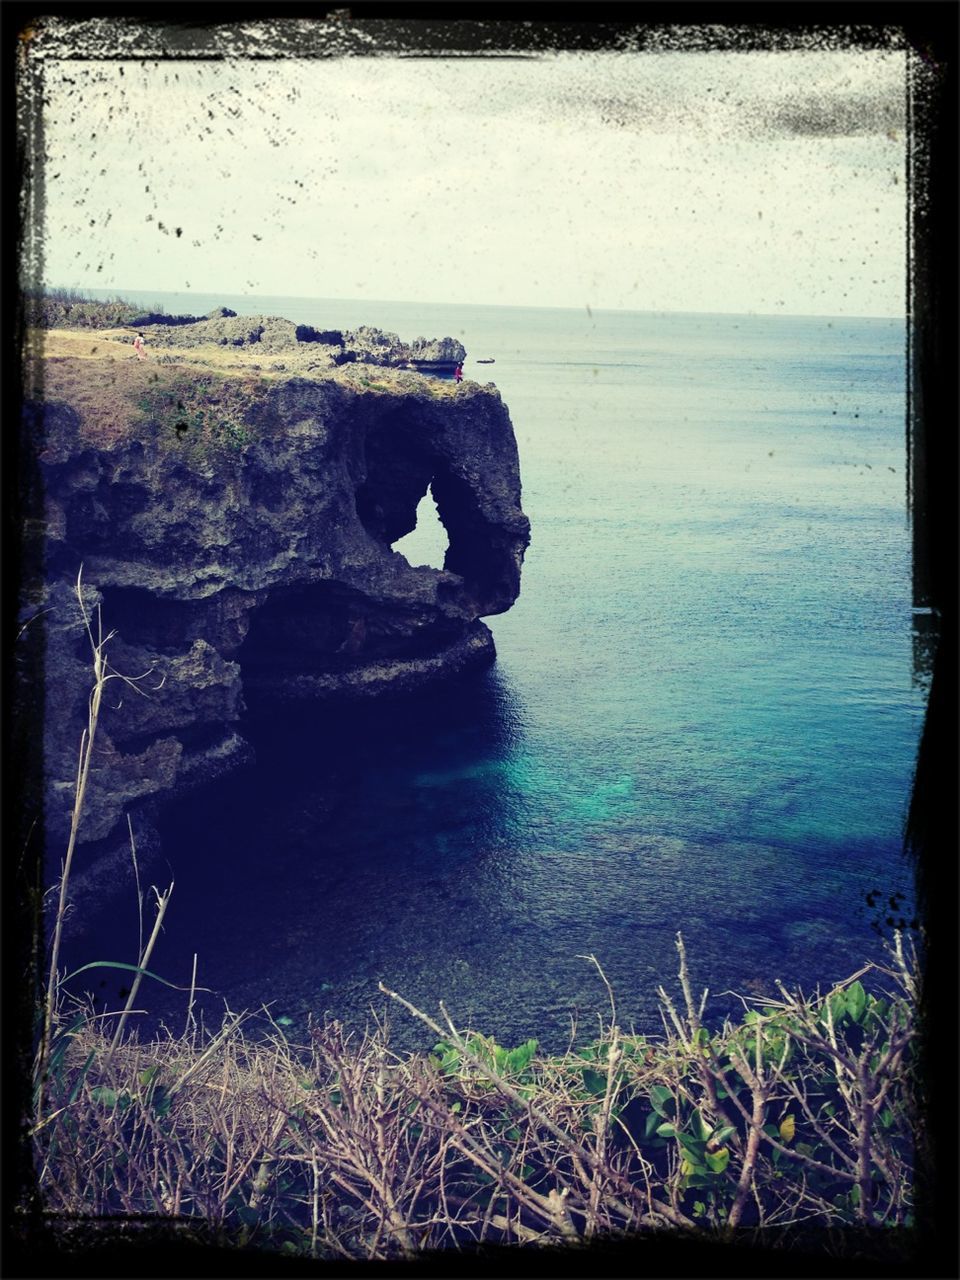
(703, 719)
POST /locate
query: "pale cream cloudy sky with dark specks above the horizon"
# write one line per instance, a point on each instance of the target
(767, 182)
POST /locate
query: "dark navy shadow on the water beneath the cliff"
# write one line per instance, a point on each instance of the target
(341, 858)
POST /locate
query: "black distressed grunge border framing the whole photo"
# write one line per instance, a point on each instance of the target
(180, 30)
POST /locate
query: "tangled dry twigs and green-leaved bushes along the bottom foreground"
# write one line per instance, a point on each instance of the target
(799, 1116)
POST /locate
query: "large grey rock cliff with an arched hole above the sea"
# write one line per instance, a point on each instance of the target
(236, 534)
